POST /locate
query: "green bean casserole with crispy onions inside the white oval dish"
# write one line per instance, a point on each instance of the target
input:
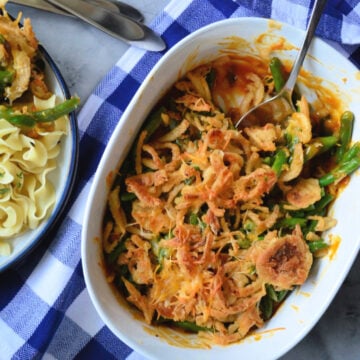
(208, 227)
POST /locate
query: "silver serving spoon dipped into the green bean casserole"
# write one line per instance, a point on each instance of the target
(281, 105)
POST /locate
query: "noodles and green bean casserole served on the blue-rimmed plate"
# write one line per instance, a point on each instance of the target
(32, 124)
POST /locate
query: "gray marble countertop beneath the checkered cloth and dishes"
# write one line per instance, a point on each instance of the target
(84, 55)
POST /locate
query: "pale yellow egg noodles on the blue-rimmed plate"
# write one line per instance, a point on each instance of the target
(26, 194)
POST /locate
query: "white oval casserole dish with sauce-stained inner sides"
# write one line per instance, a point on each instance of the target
(303, 308)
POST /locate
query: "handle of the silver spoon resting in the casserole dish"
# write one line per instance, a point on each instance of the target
(314, 19)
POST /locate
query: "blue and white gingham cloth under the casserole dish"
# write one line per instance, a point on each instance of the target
(45, 310)
